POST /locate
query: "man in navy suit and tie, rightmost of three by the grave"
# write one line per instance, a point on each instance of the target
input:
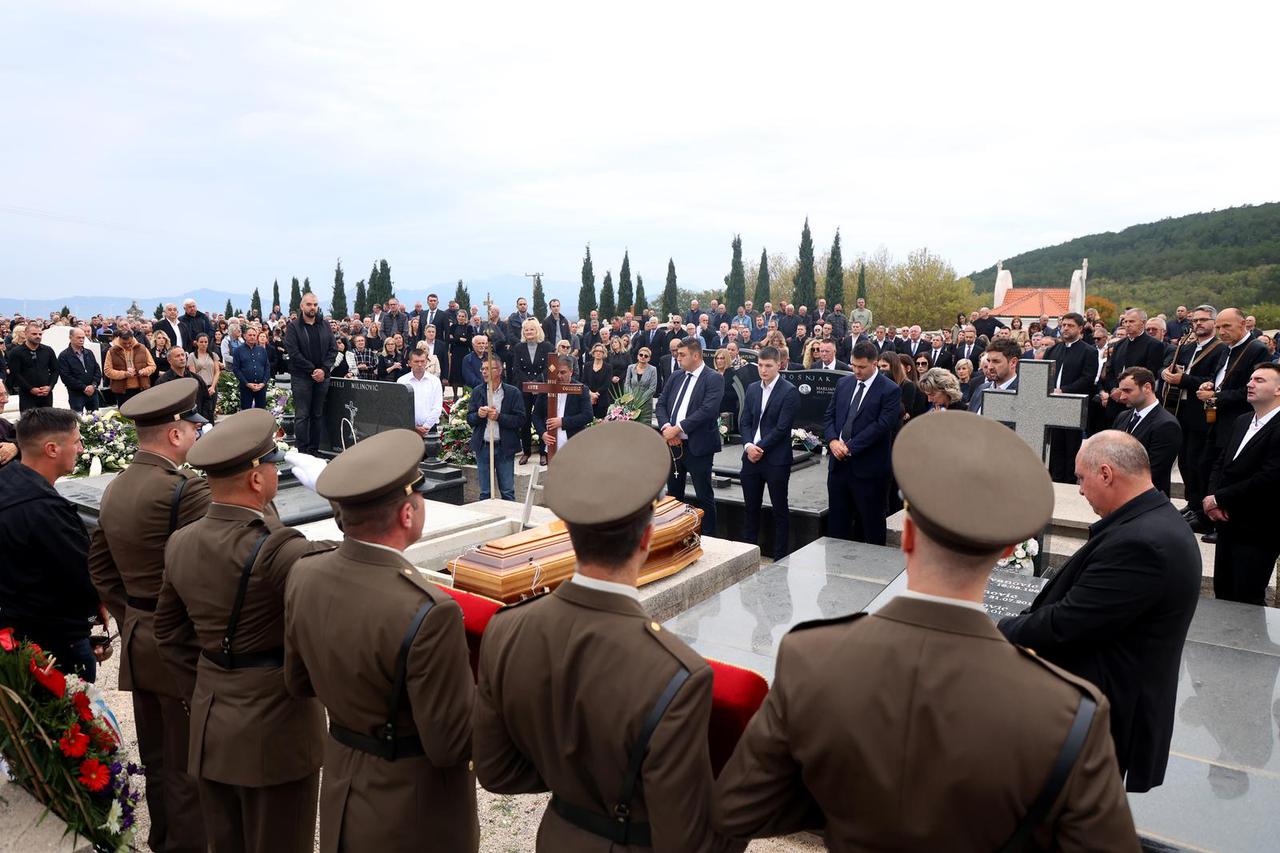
(860, 434)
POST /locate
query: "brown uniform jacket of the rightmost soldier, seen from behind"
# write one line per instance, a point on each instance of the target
(921, 728)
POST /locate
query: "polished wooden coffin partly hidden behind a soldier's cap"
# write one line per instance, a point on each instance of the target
(542, 558)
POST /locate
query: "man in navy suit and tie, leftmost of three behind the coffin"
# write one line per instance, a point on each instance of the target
(689, 413)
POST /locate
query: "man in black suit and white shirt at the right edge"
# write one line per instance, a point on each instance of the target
(1242, 495)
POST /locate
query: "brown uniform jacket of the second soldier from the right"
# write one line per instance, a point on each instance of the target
(566, 685)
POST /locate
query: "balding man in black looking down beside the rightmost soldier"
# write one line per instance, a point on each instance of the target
(1118, 613)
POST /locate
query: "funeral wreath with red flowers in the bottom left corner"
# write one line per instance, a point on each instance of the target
(65, 747)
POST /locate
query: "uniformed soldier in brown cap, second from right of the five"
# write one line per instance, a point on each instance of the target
(582, 694)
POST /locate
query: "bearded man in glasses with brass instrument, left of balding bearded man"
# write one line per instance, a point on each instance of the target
(1196, 364)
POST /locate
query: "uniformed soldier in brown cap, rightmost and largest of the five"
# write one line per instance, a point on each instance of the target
(880, 727)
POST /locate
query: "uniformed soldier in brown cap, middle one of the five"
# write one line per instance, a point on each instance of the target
(386, 653)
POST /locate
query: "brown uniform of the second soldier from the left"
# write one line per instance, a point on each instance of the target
(255, 750)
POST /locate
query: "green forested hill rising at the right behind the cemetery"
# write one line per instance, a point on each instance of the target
(1220, 241)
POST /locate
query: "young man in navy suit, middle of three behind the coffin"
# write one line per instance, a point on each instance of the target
(769, 413)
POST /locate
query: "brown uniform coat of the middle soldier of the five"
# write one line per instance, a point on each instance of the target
(348, 614)
